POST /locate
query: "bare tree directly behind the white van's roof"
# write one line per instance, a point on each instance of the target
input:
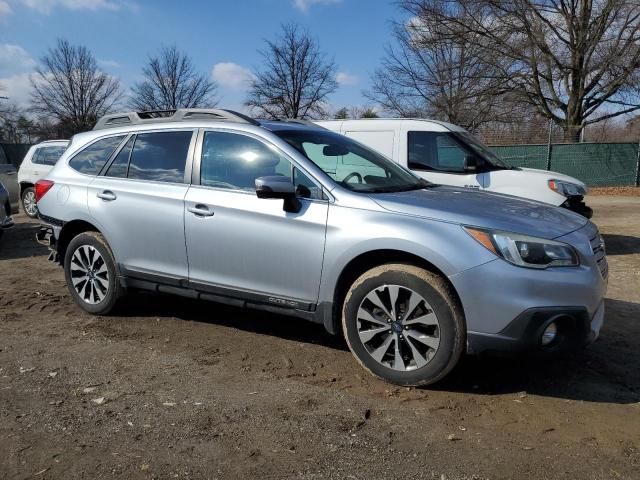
(430, 72)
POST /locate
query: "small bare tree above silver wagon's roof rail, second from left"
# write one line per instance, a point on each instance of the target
(171, 81)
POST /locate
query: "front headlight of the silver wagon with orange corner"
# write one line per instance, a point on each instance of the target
(526, 251)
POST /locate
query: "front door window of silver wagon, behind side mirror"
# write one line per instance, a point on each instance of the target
(234, 161)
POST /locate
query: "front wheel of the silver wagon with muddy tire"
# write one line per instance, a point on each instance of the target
(404, 324)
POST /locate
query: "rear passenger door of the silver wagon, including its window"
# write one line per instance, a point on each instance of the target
(138, 201)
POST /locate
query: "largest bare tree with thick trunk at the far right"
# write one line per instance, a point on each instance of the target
(575, 61)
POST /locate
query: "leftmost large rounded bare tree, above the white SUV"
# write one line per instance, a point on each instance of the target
(69, 87)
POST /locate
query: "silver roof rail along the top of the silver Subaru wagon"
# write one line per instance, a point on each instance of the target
(178, 115)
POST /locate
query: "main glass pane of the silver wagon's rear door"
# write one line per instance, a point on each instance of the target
(160, 156)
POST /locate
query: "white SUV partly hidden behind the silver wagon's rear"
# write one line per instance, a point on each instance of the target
(38, 161)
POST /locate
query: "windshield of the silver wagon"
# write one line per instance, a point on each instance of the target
(351, 164)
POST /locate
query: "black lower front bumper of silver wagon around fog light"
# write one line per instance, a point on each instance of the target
(576, 328)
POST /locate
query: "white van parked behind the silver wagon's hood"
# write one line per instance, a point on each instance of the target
(449, 155)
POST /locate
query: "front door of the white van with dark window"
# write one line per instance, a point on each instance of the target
(439, 158)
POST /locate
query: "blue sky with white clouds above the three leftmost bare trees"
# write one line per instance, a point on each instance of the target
(221, 36)
